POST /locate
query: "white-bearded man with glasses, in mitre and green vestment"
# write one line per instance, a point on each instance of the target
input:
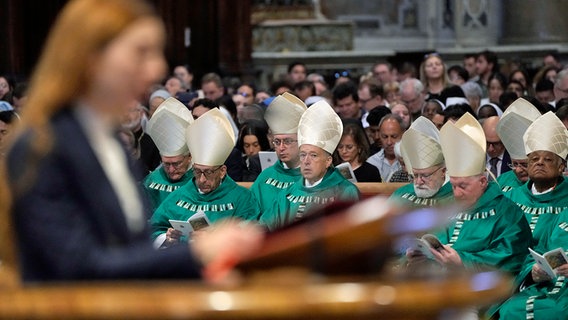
(422, 154)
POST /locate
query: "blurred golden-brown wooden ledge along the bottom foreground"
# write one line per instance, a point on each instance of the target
(262, 299)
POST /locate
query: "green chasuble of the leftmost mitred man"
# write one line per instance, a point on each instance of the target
(157, 185)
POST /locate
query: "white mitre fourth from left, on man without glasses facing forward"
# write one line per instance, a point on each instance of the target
(320, 126)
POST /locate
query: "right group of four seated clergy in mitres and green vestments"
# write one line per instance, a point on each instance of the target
(492, 227)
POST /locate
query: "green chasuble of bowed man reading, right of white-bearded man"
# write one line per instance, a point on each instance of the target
(494, 233)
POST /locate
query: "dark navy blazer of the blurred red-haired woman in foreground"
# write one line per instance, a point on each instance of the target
(68, 221)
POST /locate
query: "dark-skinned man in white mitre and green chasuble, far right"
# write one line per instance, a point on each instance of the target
(546, 192)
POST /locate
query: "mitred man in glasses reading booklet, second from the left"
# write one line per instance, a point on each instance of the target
(211, 191)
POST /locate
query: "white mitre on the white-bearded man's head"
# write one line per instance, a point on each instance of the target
(420, 145)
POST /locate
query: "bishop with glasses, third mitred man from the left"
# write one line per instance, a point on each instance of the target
(282, 115)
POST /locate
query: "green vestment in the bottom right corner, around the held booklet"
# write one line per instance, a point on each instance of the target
(546, 300)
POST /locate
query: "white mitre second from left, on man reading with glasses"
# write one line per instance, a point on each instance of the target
(210, 138)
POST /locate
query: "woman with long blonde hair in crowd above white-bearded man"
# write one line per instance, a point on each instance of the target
(433, 75)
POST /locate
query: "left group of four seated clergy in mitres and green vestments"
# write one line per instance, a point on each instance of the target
(282, 194)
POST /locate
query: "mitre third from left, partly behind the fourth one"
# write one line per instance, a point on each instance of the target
(283, 114)
